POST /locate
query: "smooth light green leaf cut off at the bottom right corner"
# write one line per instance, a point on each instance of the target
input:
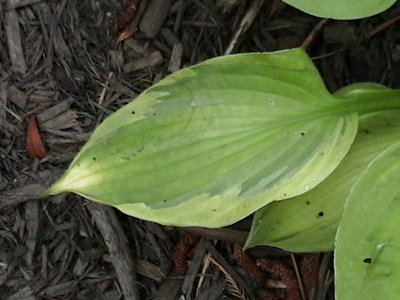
(367, 261)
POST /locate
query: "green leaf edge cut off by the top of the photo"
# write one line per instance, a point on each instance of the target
(342, 9)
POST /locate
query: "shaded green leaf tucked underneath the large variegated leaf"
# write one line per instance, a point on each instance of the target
(308, 223)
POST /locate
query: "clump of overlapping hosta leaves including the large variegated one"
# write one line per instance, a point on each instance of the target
(215, 142)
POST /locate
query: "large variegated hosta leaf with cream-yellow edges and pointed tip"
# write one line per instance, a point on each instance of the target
(212, 143)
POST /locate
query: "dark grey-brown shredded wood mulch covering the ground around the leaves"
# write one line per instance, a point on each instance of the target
(60, 61)
